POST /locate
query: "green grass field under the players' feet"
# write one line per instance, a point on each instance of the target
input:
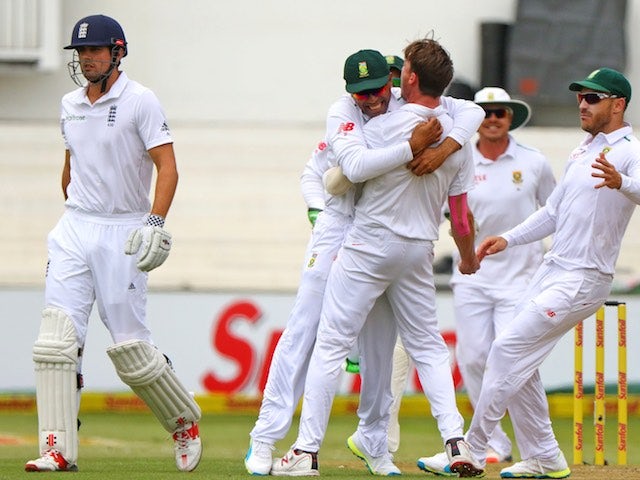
(134, 446)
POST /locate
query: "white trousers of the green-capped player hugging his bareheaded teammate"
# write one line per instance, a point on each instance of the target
(288, 368)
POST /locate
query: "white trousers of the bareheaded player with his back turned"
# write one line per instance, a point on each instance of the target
(371, 262)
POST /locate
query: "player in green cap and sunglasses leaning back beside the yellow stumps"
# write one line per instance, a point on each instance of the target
(587, 214)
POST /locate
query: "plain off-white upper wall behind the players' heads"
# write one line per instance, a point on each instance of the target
(266, 61)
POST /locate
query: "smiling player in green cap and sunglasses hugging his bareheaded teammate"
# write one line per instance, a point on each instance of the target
(366, 75)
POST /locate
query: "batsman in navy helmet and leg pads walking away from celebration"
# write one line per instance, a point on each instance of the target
(108, 238)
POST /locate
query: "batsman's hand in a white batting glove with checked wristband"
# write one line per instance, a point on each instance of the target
(151, 244)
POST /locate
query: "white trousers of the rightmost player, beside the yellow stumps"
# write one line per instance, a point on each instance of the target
(555, 302)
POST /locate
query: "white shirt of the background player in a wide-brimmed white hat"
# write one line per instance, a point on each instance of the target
(507, 190)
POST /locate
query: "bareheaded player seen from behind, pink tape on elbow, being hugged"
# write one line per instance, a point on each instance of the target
(389, 249)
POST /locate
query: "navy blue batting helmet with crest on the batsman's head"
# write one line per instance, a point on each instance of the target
(97, 31)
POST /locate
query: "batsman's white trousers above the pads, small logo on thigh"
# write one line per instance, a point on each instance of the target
(87, 265)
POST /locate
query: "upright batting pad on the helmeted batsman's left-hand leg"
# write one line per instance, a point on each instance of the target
(55, 354)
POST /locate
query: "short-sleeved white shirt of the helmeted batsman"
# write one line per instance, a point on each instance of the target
(111, 169)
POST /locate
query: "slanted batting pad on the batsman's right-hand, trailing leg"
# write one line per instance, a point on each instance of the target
(141, 366)
